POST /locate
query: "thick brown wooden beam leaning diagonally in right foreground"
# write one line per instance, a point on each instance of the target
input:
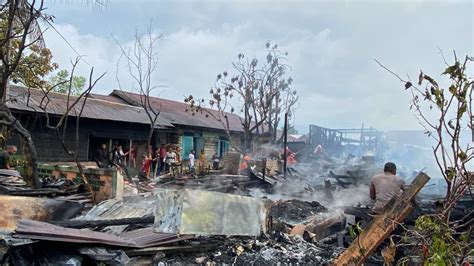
(382, 225)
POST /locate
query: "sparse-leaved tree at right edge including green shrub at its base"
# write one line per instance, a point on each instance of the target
(445, 114)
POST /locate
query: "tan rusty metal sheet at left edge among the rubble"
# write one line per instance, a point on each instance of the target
(14, 208)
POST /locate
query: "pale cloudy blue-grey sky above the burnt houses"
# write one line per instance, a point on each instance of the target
(331, 48)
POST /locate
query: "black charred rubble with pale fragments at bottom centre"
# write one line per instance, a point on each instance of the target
(264, 250)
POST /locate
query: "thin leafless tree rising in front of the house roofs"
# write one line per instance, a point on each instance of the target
(141, 61)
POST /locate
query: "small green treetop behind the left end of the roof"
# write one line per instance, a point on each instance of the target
(62, 84)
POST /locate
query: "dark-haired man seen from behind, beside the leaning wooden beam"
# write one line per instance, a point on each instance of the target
(384, 186)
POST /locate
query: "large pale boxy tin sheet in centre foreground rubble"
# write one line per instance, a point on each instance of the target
(208, 213)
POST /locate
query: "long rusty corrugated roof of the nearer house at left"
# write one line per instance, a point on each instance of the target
(24, 99)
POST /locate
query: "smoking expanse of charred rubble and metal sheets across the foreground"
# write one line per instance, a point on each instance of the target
(215, 219)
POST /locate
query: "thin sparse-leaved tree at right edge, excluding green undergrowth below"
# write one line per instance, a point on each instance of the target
(452, 108)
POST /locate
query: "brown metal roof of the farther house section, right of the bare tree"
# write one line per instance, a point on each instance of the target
(175, 112)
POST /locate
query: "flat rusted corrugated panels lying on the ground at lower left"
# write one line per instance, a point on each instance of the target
(140, 238)
